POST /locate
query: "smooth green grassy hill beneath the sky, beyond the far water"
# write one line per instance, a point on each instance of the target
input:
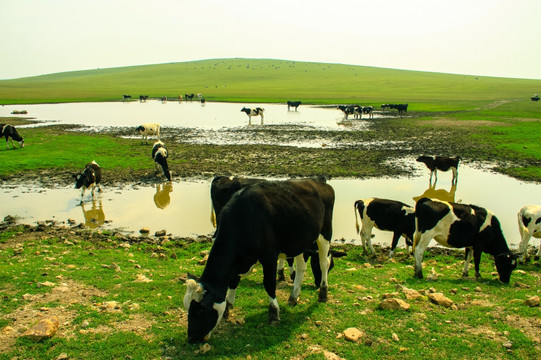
(263, 80)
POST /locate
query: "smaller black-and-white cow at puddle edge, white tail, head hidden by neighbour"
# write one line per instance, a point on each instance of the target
(387, 215)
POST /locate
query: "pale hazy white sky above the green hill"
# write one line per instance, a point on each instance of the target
(478, 37)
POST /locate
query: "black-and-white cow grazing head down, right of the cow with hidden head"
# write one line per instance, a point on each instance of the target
(461, 226)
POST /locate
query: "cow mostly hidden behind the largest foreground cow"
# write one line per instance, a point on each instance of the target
(223, 188)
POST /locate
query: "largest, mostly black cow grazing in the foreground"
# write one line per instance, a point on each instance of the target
(260, 223)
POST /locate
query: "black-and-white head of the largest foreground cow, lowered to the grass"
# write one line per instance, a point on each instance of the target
(203, 313)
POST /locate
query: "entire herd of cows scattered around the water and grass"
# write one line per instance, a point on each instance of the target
(267, 222)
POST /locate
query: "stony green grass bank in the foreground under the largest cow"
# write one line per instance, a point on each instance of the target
(118, 296)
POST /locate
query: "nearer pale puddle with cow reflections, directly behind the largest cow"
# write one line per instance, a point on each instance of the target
(183, 207)
